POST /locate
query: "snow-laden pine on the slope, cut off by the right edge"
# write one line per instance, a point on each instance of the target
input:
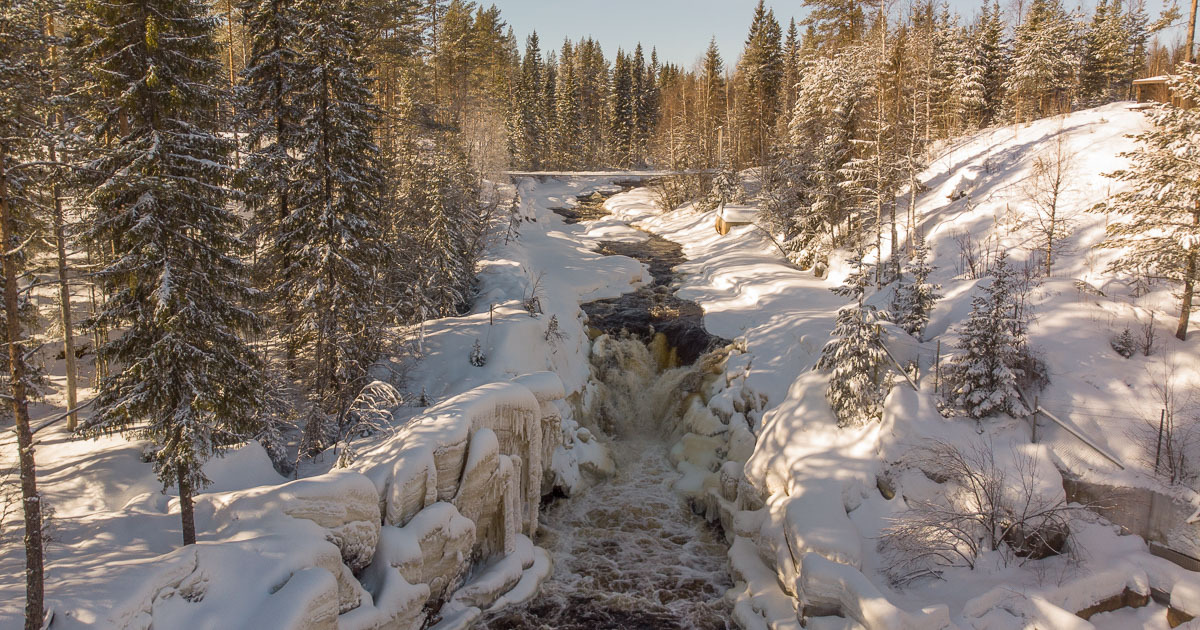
(1157, 220)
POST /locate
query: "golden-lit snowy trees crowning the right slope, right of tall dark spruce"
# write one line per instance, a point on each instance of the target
(875, 91)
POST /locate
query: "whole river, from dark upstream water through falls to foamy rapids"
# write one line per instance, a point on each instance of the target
(628, 553)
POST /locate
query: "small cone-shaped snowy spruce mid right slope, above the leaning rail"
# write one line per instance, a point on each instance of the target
(986, 374)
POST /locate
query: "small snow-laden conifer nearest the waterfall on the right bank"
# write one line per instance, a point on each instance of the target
(860, 382)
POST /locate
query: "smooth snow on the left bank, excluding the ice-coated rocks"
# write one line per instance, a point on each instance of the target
(115, 533)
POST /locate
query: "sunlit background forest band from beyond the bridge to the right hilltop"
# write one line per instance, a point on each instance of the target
(913, 75)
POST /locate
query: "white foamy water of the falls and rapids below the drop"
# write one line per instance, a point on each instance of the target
(628, 553)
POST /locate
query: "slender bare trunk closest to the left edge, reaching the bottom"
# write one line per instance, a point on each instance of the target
(31, 501)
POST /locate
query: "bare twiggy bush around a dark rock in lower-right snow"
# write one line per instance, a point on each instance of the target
(986, 507)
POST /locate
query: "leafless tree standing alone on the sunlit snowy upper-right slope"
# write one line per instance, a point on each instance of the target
(1046, 189)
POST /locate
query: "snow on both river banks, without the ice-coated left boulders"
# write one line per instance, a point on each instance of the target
(809, 512)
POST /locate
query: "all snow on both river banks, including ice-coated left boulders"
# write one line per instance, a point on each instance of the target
(797, 495)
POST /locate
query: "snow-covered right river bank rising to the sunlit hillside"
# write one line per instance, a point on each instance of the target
(819, 533)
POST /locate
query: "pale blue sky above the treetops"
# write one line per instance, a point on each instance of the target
(680, 29)
